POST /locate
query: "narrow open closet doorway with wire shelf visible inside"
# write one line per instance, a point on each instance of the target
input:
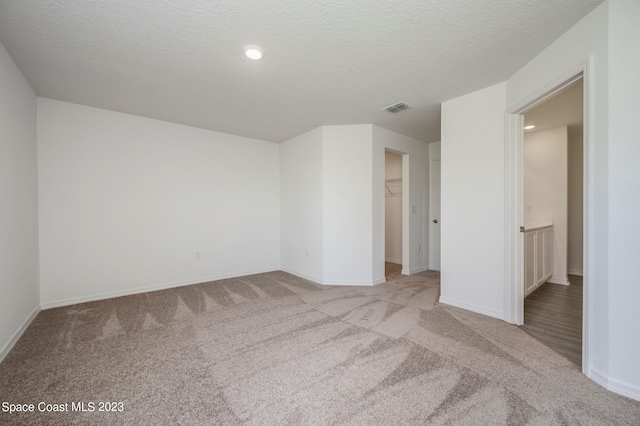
(393, 214)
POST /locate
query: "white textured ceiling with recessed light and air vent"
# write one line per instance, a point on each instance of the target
(326, 62)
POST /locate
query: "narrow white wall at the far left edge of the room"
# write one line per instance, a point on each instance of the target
(19, 301)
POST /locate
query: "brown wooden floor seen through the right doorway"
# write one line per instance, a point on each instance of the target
(553, 315)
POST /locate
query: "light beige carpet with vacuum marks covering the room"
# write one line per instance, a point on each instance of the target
(276, 349)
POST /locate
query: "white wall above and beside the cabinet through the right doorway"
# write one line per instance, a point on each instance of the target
(546, 189)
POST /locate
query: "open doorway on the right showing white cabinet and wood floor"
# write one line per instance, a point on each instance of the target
(553, 221)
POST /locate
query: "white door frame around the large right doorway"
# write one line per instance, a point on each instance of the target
(514, 199)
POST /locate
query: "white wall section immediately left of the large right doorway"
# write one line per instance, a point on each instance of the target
(472, 201)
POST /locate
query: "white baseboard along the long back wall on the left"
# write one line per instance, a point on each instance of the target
(147, 289)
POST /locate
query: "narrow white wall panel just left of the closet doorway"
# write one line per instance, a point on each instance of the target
(347, 200)
